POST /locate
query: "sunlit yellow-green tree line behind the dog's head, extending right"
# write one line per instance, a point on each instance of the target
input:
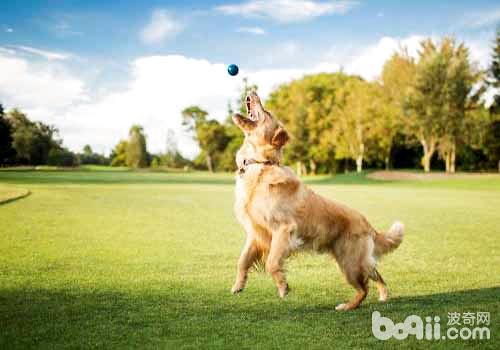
(427, 111)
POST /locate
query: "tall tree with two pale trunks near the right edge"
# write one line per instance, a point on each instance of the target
(440, 99)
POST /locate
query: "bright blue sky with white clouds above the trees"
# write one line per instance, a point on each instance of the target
(95, 67)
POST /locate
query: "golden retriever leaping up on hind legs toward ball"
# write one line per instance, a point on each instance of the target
(280, 215)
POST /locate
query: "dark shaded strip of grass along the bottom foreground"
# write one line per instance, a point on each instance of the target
(188, 317)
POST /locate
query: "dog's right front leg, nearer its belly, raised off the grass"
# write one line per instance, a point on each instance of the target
(280, 246)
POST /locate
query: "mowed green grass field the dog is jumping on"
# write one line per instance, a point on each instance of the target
(119, 259)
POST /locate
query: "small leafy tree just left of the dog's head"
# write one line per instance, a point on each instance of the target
(209, 133)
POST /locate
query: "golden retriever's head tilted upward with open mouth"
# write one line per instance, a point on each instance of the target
(264, 135)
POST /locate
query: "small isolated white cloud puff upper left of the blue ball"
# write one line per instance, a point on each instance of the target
(162, 26)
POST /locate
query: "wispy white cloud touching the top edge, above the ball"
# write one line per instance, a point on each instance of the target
(287, 10)
